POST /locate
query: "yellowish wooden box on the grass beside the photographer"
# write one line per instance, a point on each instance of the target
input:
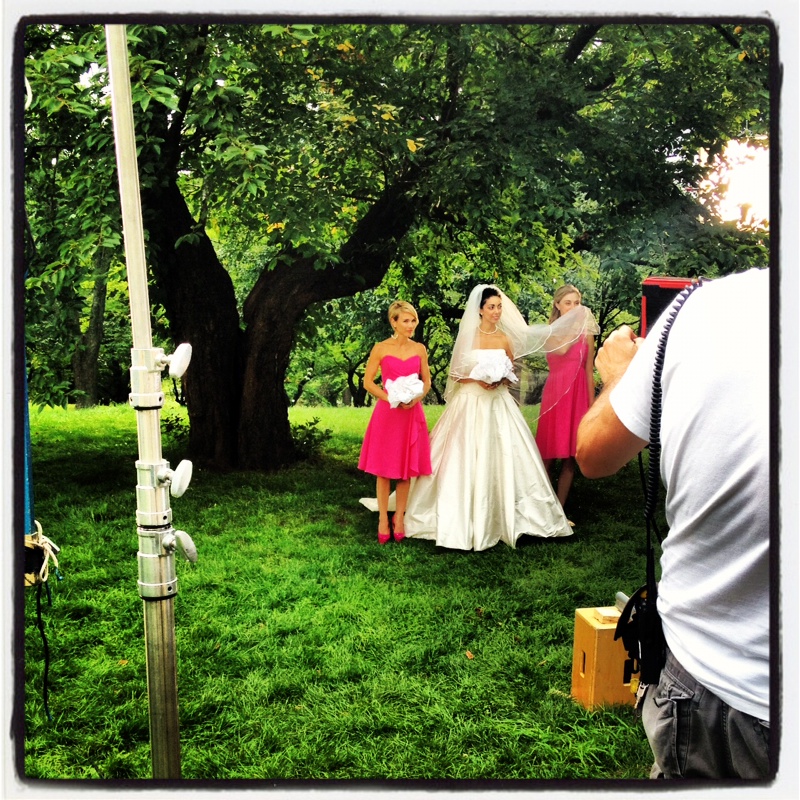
(598, 661)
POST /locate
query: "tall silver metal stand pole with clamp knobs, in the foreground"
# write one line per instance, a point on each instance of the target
(157, 583)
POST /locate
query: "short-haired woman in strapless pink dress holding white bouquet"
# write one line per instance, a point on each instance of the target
(396, 445)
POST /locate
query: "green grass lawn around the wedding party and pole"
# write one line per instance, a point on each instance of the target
(306, 650)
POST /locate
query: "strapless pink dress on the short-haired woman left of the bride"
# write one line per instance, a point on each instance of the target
(396, 442)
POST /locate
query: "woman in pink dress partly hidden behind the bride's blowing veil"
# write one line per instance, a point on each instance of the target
(568, 393)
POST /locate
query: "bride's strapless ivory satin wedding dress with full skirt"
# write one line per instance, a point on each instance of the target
(488, 483)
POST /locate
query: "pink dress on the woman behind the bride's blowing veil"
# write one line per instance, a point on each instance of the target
(565, 400)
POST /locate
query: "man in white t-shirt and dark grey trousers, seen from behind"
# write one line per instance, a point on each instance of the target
(708, 717)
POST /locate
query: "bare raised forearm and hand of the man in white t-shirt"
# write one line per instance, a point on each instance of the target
(605, 445)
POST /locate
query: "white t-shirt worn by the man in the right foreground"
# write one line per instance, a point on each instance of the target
(713, 594)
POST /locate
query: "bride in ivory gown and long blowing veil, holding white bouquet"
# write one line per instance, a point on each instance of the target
(488, 483)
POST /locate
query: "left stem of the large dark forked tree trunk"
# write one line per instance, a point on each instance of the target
(199, 298)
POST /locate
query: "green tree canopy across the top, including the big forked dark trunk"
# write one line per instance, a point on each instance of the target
(285, 166)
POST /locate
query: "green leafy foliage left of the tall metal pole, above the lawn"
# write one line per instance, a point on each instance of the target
(72, 210)
